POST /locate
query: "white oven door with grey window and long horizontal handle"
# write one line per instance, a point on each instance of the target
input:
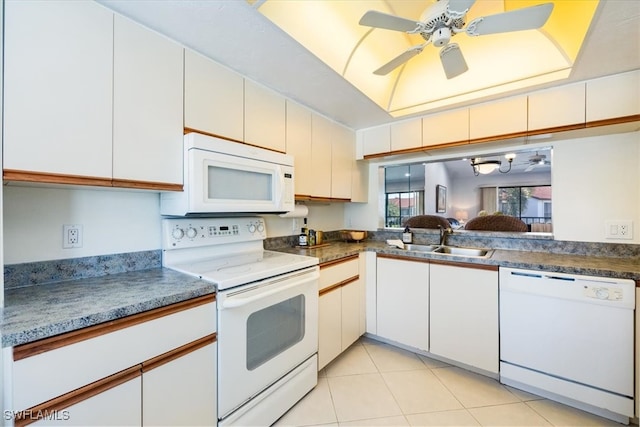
(265, 330)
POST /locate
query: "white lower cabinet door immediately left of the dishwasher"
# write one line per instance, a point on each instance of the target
(464, 315)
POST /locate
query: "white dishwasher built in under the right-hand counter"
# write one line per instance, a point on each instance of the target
(569, 338)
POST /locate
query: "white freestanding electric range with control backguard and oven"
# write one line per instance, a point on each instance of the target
(267, 313)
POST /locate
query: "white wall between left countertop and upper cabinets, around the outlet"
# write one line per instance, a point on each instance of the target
(113, 222)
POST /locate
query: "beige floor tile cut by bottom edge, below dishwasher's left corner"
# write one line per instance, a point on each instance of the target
(512, 415)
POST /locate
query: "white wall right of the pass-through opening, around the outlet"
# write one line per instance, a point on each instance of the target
(594, 180)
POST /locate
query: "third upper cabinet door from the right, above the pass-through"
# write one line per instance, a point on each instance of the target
(498, 118)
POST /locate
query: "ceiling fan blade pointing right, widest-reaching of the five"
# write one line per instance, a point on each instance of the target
(526, 18)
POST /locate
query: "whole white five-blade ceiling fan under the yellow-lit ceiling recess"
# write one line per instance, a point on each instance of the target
(446, 18)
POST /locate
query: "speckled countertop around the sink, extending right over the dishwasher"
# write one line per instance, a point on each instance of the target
(619, 267)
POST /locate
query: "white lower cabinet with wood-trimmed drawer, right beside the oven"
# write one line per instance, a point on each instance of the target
(339, 308)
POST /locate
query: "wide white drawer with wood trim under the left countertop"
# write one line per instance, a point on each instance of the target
(54, 366)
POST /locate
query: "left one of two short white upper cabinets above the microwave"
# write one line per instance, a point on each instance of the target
(213, 98)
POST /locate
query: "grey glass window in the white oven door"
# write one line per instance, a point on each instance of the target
(273, 330)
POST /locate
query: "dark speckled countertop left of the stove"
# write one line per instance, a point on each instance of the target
(40, 311)
